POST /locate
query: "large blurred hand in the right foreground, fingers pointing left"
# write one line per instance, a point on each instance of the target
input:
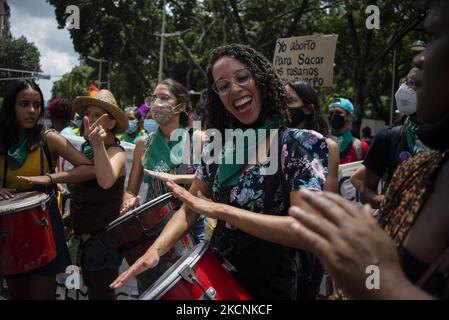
(347, 240)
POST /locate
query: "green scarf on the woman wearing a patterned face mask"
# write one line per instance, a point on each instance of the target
(162, 157)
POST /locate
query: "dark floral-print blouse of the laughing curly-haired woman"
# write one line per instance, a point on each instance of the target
(303, 165)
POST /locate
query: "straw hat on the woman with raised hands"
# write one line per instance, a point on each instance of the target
(105, 100)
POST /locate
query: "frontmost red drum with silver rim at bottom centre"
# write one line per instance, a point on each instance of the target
(196, 276)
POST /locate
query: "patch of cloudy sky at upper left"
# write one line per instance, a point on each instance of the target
(35, 19)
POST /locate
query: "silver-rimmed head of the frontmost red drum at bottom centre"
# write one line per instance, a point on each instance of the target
(172, 275)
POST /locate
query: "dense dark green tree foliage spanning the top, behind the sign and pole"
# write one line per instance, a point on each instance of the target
(127, 34)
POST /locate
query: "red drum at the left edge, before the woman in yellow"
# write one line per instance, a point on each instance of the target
(26, 235)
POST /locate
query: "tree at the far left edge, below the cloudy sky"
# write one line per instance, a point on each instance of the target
(17, 54)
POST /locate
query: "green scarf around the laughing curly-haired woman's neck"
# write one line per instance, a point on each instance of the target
(228, 174)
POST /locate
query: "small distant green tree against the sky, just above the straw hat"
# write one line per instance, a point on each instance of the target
(75, 83)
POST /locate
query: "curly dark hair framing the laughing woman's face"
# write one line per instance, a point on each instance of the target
(274, 96)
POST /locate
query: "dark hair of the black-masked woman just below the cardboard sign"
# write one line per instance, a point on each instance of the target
(316, 121)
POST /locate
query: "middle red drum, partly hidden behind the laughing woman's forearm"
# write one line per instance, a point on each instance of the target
(136, 231)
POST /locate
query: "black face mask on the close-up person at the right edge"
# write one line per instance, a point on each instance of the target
(435, 136)
